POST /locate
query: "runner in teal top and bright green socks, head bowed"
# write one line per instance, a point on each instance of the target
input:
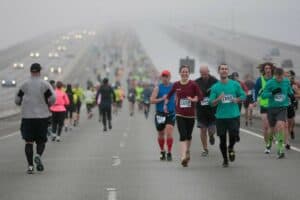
(277, 91)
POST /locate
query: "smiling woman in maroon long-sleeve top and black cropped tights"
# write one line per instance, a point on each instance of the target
(188, 94)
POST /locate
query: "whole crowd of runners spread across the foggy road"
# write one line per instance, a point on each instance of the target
(214, 104)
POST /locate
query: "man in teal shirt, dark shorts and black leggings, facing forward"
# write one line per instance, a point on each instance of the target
(226, 95)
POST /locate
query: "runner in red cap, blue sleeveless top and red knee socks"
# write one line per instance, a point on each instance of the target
(164, 122)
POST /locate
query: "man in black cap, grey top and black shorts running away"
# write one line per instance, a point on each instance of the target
(35, 96)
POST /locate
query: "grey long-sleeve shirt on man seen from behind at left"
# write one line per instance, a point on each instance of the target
(35, 96)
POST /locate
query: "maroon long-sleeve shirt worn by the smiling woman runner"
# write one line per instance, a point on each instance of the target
(185, 107)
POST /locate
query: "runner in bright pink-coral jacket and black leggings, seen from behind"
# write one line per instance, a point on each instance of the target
(59, 111)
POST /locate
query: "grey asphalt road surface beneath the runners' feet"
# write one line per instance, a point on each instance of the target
(124, 163)
